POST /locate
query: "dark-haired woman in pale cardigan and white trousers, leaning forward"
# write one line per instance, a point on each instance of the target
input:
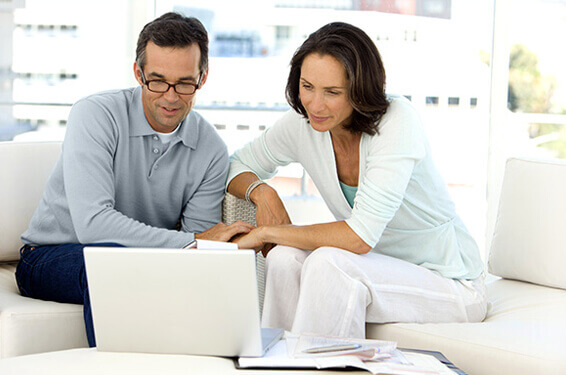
(397, 252)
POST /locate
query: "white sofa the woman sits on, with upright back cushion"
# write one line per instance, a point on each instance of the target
(525, 329)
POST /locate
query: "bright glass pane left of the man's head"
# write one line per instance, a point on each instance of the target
(50, 58)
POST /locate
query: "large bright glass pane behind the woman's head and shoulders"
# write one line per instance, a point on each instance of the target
(436, 54)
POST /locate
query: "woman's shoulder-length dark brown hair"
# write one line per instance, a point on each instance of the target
(353, 48)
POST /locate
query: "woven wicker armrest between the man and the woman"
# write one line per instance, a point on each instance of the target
(233, 209)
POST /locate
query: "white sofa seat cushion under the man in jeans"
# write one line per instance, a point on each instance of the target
(30, 326)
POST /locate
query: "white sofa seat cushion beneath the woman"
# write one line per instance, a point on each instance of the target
(524, 333)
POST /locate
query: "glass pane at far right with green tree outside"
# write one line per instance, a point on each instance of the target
(537, 79)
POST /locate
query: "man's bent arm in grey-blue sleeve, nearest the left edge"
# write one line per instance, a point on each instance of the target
(88, 164)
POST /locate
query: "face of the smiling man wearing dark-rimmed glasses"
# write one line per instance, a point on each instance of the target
(165, 111)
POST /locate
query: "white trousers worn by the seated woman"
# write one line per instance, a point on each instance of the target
(335, 292)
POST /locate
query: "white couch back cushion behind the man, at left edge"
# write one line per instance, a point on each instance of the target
(24, 170)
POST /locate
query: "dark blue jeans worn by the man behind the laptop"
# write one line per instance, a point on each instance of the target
(57, 273)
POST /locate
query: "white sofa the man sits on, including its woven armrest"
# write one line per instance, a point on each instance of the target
(27, 325)
